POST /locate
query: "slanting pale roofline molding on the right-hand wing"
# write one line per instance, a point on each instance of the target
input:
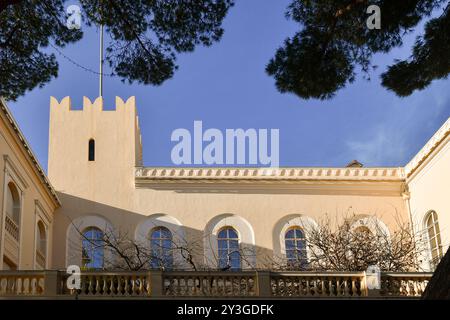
(428, 149)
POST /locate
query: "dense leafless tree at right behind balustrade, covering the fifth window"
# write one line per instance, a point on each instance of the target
(342, 245)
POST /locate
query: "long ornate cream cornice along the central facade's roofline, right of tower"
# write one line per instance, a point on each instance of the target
(325, 181)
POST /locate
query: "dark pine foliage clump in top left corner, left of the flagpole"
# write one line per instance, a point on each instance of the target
(25, 29)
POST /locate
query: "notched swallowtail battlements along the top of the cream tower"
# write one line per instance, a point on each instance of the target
(66, 104)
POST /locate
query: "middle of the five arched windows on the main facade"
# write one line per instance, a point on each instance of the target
(228, 249)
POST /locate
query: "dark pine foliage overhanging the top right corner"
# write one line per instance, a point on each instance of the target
(334, 41)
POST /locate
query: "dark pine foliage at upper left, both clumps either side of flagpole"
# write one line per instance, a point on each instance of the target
(146, 36)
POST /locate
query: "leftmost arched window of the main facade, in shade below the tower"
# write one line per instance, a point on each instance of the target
(92, 249)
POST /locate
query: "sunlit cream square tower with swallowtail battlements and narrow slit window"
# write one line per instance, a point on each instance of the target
(93, 152)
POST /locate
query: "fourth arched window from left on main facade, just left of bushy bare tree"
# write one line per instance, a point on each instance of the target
(295, 247)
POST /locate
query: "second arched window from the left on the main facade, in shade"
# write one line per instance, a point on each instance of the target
(161, 248)
